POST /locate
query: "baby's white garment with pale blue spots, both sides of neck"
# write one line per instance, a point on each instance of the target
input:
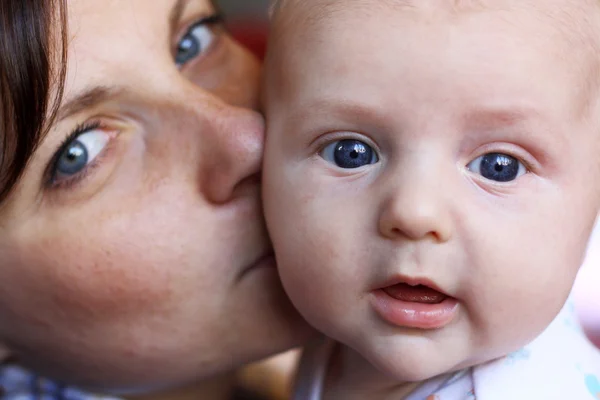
(560, 364)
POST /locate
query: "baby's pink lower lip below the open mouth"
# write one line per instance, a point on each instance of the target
(411, 314)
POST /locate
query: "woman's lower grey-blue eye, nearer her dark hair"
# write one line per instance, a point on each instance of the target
(79, 153)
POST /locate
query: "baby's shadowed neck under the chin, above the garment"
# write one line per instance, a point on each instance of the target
(351, 377)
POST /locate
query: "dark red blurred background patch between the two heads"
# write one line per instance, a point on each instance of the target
(247, 21)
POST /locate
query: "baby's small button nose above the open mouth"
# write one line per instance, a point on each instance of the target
(414, 209)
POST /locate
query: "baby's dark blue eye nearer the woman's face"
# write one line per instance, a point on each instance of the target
(349, 153)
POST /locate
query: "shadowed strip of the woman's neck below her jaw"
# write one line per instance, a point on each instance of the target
(218, 388)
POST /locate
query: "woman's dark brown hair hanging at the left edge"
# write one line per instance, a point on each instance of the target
(32, 60)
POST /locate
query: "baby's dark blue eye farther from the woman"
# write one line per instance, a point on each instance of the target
(497, 167)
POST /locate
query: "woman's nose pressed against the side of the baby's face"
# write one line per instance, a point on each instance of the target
(233, 161)
